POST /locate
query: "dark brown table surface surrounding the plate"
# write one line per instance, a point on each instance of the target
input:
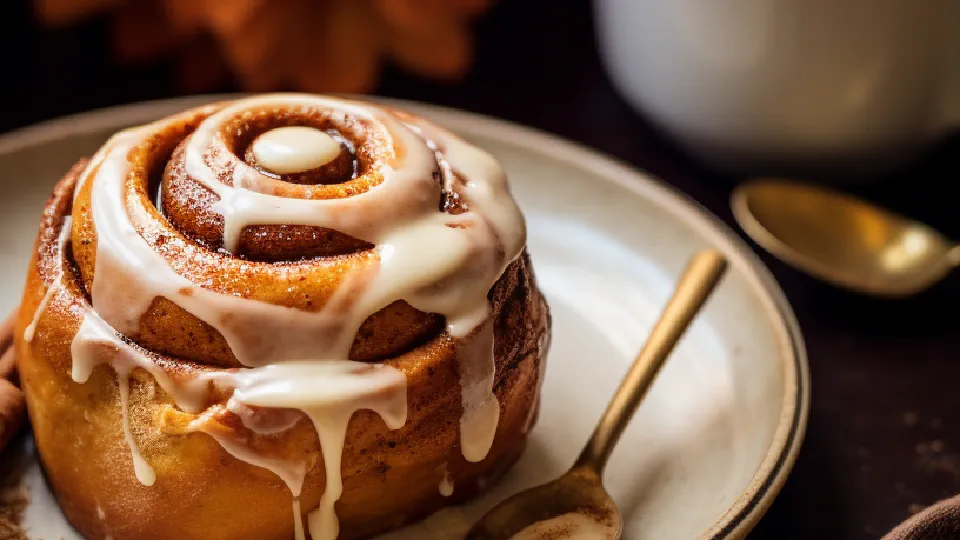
(880, 443)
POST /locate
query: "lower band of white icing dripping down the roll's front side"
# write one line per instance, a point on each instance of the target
(328, 392)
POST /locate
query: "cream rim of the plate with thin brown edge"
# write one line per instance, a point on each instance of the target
(747, 509)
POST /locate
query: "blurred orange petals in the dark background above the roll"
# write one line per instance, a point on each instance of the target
(311, 45)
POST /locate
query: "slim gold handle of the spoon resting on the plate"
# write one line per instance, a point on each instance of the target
(700, 278)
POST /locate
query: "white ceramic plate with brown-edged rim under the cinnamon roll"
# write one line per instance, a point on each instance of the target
(718, 433)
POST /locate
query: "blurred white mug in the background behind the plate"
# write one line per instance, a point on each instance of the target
(851, 85)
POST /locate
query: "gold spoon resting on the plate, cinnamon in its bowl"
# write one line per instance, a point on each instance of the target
(576, 504)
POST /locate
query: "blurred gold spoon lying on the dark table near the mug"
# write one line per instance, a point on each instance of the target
(841, 239)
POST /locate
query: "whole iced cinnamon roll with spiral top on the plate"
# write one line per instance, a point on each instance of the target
(285, 316)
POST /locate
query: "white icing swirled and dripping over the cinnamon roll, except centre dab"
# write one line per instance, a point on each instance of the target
(437, 262)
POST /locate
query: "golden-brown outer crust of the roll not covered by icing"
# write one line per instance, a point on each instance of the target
(202, 491)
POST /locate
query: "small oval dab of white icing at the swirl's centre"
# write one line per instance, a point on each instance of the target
(294, 149)
